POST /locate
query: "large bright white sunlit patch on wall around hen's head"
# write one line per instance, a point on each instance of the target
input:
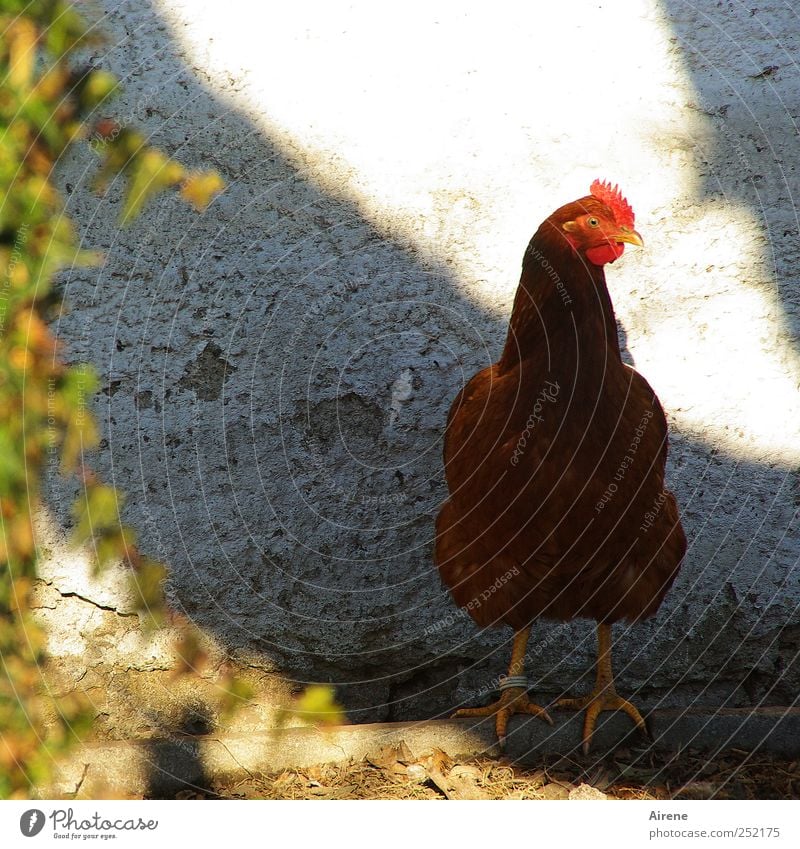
(460, 127)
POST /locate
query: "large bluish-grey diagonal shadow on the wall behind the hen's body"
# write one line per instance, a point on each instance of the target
(278, 373)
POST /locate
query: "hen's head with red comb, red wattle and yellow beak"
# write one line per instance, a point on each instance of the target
(600, 224)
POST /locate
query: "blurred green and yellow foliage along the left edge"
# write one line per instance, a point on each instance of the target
(47, 103)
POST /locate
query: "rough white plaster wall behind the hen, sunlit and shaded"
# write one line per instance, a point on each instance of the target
(277, 371)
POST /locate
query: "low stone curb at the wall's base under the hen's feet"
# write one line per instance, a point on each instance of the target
(160, 767)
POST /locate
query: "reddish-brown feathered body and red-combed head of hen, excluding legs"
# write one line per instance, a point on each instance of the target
(555, 454)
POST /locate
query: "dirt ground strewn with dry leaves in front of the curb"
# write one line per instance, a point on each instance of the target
(627, 774)
